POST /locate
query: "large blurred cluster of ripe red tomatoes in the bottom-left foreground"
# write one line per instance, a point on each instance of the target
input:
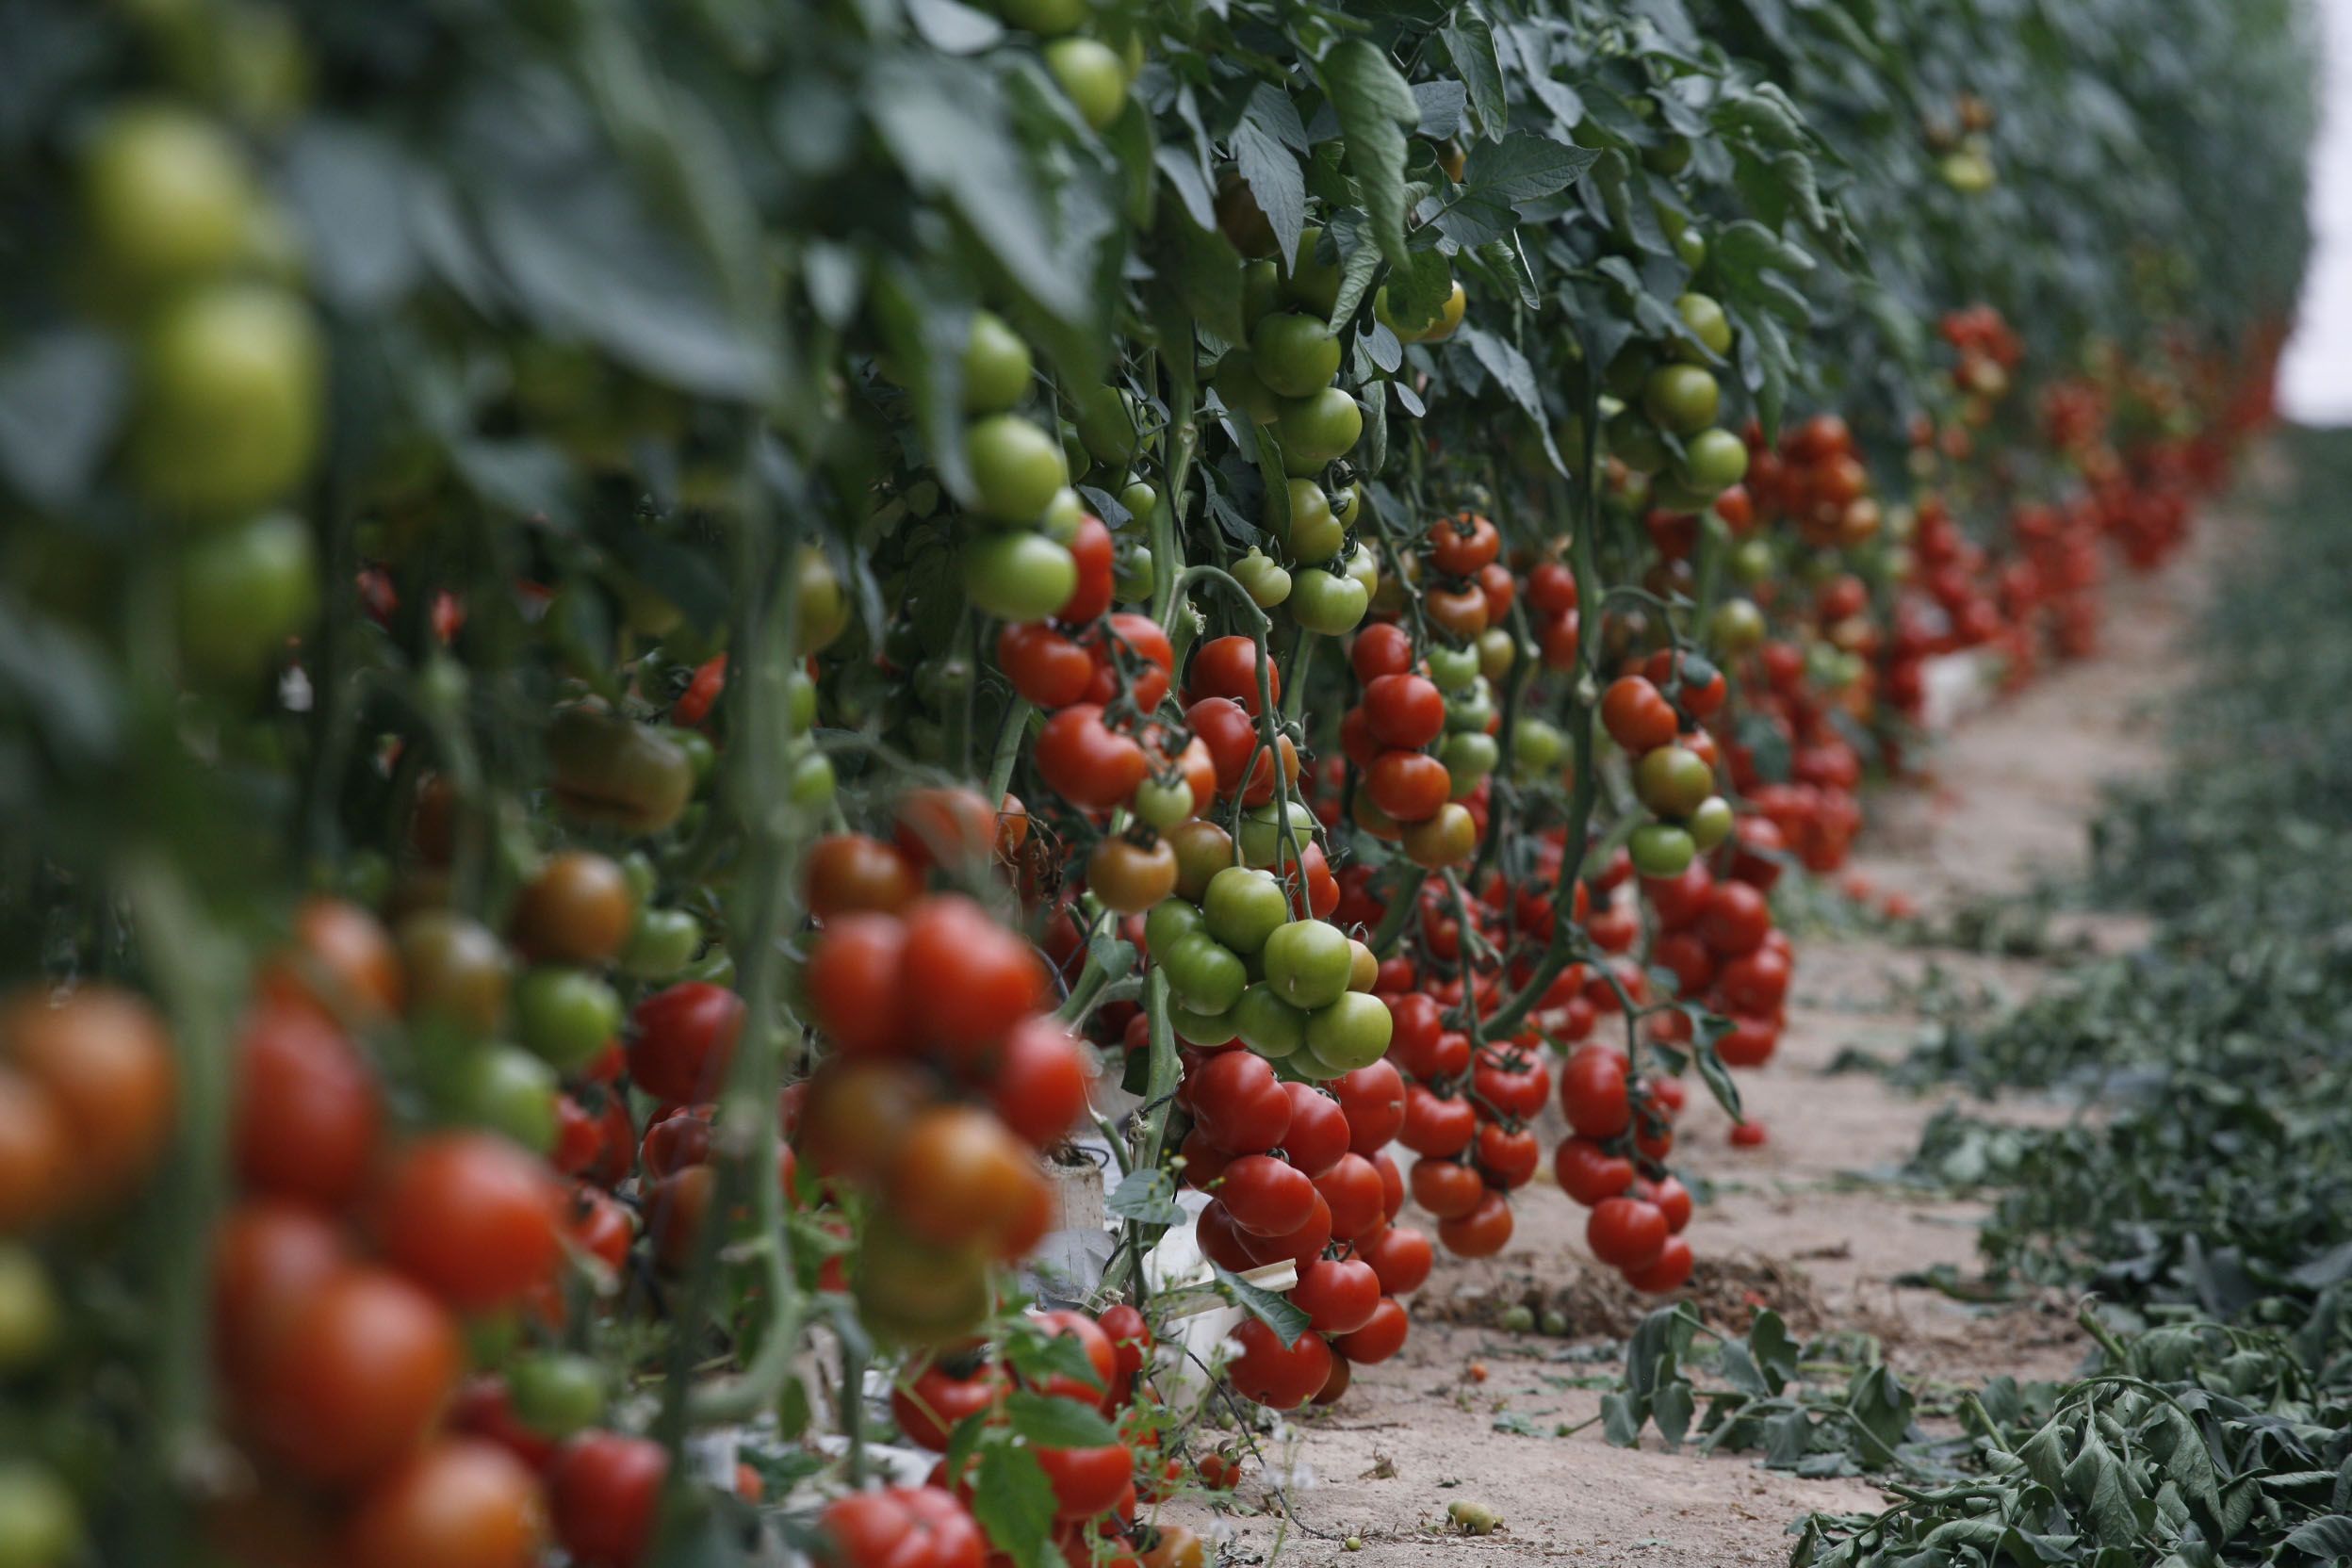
(349, 1264)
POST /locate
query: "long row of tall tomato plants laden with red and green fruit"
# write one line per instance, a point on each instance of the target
(660, 652)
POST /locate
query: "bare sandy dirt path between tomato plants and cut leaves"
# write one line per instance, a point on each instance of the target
(1803, 1224)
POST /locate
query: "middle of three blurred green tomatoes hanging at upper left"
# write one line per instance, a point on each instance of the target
(229, 403)
